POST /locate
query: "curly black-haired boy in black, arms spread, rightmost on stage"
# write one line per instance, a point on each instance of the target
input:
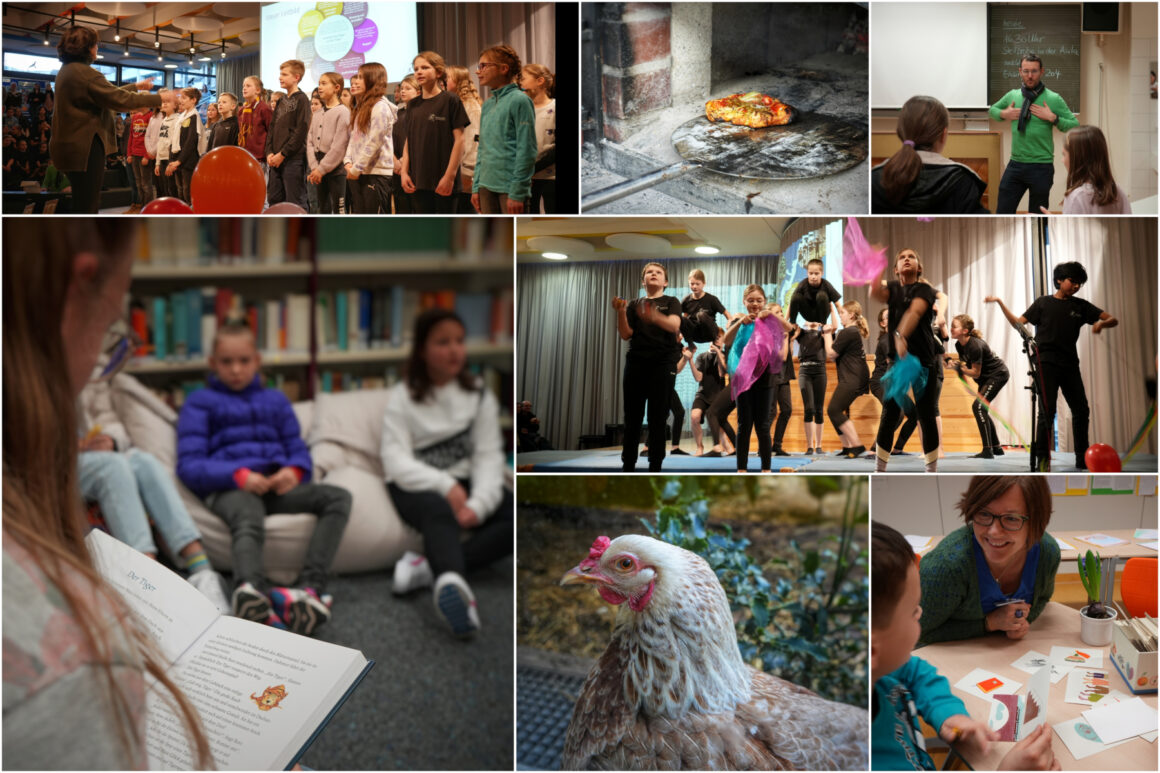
(1058, 320)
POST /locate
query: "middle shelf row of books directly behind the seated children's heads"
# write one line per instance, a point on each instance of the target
(182, 326)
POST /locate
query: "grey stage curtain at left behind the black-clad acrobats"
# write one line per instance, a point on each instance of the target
(571, 358)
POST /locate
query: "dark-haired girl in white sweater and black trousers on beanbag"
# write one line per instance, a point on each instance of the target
(444, 461)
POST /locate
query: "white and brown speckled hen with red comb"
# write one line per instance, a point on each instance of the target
(672, 692)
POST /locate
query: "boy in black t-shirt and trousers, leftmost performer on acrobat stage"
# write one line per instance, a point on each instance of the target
(650, 327)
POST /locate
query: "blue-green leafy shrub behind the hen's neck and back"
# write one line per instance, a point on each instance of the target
(810, 625)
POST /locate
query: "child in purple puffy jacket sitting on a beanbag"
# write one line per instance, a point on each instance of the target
(241, 450)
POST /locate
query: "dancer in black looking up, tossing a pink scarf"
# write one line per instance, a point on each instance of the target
(912, 310)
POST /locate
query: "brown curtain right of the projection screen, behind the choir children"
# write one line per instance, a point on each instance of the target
(461, 32)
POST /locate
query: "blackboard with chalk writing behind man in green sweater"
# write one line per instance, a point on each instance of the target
(1050, 32)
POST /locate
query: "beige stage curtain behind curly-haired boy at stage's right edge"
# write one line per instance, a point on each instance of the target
(1120, 255)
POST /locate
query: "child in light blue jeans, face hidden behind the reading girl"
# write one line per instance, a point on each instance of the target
(132, 486)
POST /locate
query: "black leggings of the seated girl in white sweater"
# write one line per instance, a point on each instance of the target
(431, 515)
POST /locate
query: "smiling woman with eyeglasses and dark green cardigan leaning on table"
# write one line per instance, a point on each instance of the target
(997, 573)
